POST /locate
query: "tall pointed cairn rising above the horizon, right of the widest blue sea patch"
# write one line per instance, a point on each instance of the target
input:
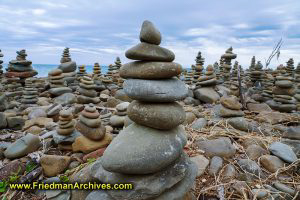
(68, 68)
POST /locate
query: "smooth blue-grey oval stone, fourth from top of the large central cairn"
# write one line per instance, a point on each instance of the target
(166, 90)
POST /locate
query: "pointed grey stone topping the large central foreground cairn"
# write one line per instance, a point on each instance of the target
(149, 33)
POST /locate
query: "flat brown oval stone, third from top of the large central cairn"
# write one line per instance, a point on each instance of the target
(150, 70)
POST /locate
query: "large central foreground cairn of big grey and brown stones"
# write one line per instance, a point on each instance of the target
(150, 158)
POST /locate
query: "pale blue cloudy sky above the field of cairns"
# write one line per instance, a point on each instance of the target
(100, 30)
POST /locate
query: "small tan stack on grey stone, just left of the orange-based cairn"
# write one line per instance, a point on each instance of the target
(65, 134)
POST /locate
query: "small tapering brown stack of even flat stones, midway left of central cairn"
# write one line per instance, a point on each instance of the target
(87, 91)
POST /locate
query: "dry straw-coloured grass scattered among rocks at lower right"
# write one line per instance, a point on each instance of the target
(220, 187)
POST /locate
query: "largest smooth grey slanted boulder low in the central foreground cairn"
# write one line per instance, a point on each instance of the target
(142, 150)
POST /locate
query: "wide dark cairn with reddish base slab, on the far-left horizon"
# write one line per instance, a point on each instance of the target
(20, 67)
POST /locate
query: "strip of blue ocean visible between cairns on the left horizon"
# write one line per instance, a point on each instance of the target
(43, 69)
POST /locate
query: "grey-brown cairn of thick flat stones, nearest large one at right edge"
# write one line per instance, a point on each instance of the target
(283, 93)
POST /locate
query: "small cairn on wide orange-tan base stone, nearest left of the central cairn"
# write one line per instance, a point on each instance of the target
(93, 132)
